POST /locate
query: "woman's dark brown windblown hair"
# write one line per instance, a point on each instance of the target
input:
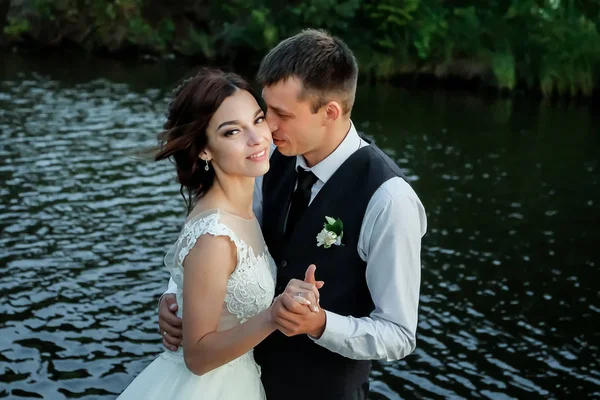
(184, 136)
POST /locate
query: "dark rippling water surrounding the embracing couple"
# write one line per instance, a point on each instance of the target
(509, 304)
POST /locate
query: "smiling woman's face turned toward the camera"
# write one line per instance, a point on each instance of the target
(238, 137)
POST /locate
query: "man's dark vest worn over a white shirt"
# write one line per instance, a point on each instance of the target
(346, 196)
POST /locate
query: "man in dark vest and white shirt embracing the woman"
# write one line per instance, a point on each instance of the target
(322, 168)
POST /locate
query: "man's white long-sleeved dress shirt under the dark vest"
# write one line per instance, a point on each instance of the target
(390, 243)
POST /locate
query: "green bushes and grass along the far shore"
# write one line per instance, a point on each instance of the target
(549, 47)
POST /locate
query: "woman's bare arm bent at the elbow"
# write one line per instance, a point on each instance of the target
(207, 268)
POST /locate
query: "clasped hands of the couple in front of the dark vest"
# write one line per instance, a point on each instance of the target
(296, 311)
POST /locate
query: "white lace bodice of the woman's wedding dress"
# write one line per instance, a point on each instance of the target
(251, 286)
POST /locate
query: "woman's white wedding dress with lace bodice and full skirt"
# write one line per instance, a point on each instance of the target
(250, 290)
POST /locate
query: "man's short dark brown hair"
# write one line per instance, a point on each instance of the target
(324, 64)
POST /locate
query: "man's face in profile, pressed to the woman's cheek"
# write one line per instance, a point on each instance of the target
(296, 129)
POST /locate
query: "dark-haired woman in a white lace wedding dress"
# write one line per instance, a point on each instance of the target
(217, 136)
